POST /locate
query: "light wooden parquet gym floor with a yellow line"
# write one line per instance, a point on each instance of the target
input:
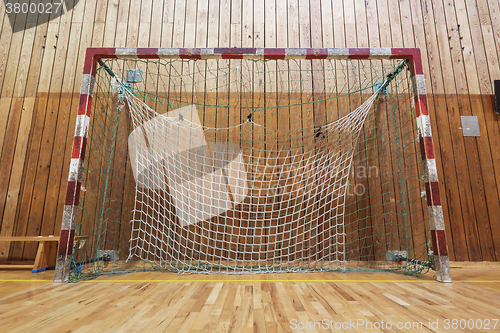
(166, 302)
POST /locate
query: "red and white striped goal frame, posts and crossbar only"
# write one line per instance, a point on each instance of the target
(412, 55)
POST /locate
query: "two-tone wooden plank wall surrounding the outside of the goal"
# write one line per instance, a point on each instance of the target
(41, 68)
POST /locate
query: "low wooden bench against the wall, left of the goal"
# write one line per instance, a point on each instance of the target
(46, 254)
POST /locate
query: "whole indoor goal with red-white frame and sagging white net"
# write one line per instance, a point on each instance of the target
(239, 161)
